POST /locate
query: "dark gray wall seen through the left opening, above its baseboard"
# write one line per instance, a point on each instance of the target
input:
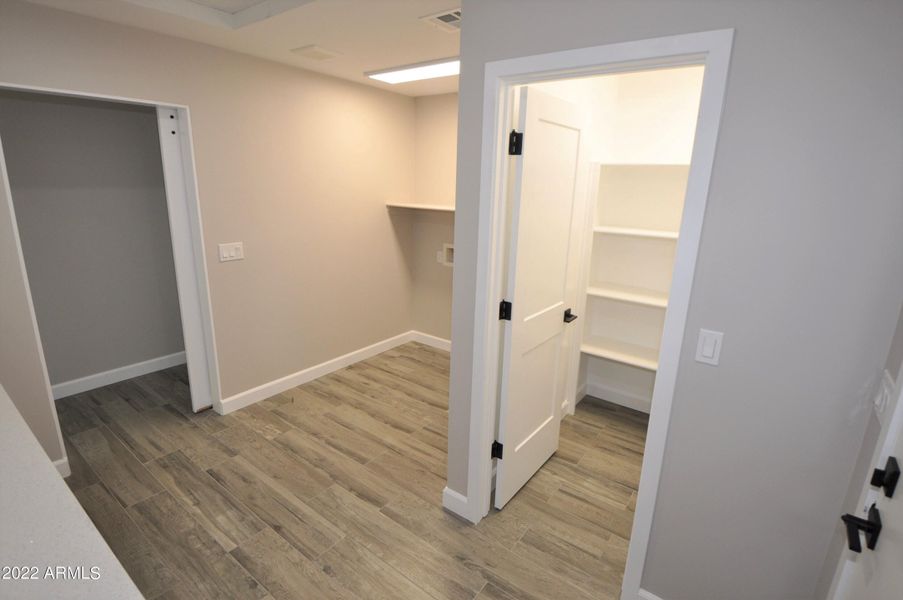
(87, 185)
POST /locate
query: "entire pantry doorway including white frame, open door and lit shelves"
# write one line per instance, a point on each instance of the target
(600, 220)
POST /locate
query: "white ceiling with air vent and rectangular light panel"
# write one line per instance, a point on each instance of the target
(367, 35)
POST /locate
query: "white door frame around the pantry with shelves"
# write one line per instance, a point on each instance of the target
(710, 48)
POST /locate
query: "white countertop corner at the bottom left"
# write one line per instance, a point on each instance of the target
(42, 525)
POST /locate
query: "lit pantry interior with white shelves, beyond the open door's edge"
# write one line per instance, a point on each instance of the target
(641, 127)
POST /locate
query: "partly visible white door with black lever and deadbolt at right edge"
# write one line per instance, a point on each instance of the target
(878, 574)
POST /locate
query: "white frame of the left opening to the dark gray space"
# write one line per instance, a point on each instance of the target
(183, 208)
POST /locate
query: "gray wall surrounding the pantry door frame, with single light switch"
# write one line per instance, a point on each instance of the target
(801, 265)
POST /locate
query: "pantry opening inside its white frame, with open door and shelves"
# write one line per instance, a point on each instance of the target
(596, 205)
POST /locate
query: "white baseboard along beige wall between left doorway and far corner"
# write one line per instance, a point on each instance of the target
(277, 386)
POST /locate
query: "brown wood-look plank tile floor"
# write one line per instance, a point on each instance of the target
(333, 490)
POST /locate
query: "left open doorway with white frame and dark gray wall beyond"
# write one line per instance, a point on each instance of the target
(106, 223)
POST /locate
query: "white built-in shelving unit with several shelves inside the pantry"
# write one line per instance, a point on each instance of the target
(638, 210)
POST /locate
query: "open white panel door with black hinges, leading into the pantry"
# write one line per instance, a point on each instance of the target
(539, 286)
